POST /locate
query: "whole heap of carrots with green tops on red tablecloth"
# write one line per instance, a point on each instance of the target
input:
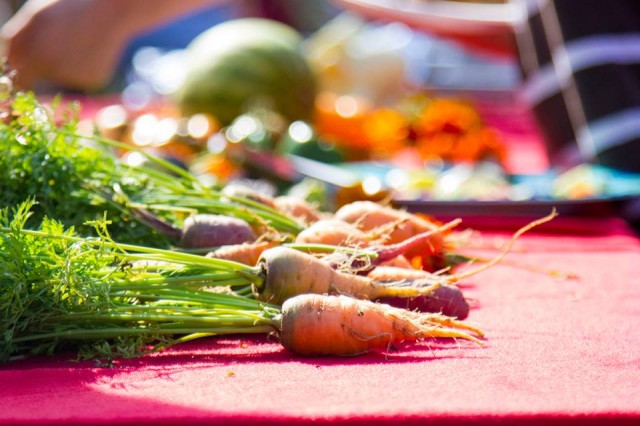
(238, 262)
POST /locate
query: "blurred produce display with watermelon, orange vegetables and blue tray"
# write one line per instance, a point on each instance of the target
(249, 102)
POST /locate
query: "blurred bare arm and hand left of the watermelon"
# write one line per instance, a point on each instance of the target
(77, 44)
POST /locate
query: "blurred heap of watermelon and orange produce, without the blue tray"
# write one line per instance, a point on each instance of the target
(270, 92)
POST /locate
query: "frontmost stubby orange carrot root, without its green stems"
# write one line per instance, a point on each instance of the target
(316, 325)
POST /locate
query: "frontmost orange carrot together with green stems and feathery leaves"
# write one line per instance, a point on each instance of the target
(86, 293)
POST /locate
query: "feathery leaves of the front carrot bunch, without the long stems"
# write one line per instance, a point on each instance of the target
(42, 278)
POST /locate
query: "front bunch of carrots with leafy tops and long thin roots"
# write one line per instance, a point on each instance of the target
(110, 300)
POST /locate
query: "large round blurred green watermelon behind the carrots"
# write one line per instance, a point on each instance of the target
(242, 63)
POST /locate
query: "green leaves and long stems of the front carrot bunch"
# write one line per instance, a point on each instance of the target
(58, 290)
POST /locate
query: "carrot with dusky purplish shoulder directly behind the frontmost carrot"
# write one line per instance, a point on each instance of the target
(287, 272)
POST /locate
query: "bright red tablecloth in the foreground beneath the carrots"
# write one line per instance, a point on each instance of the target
(557, 352)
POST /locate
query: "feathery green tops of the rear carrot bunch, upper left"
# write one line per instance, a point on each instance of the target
(42, 159)
